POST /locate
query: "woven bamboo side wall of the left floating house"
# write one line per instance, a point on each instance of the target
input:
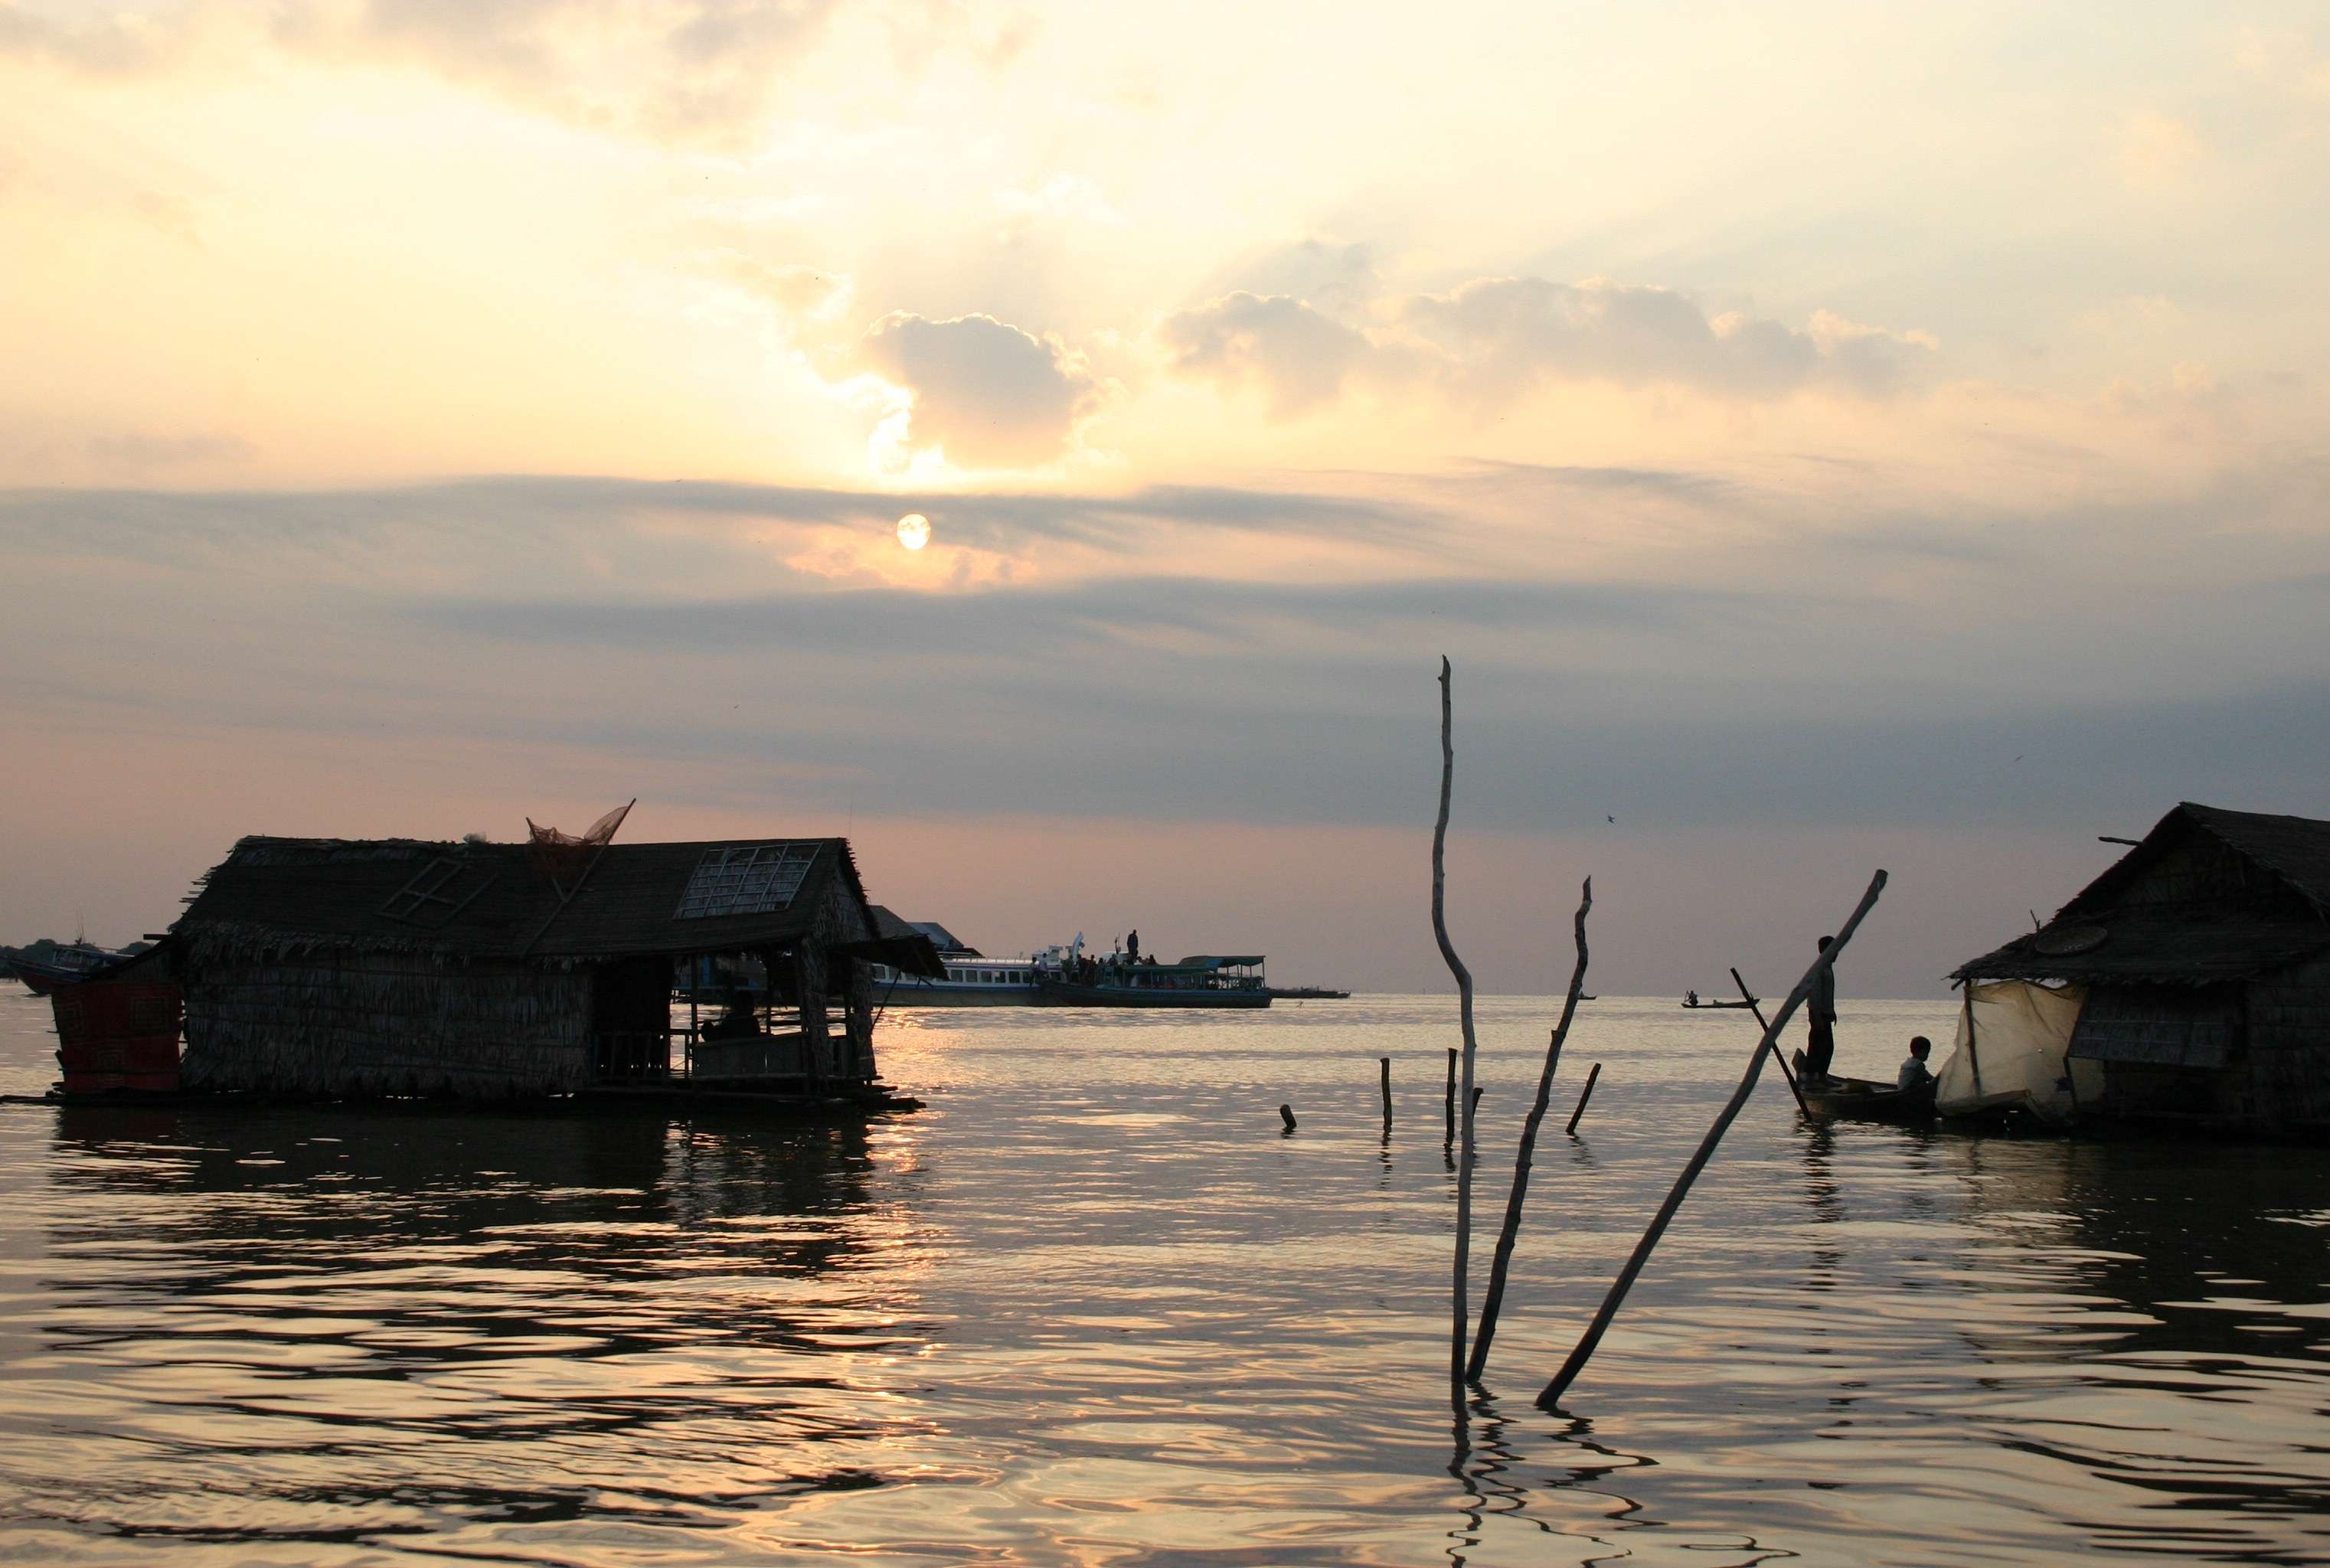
(388, 1024)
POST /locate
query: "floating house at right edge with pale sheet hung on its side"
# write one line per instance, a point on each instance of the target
(2187, 984)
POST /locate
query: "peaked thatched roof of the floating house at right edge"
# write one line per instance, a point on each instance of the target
(2100, 935)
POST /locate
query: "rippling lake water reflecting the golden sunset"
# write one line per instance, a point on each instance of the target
(1094, 1308)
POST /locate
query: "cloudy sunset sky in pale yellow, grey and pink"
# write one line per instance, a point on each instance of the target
(1821, 437)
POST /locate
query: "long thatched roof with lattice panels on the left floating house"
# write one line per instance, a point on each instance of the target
(504, 900)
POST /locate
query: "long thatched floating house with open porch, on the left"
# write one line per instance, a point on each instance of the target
(414, 968)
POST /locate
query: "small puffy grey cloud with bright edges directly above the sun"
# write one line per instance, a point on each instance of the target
(982, 390)
